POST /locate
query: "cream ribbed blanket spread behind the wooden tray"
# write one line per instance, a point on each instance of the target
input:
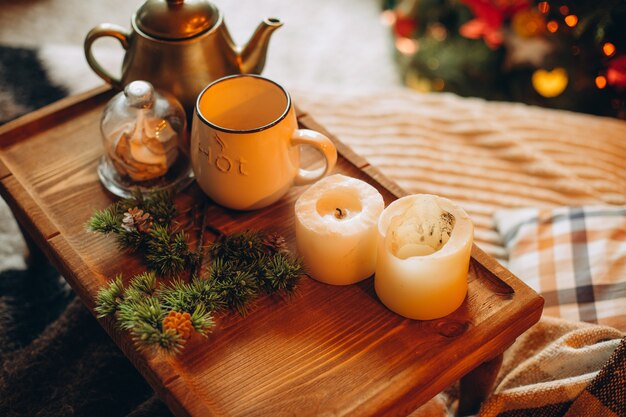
(483, 155)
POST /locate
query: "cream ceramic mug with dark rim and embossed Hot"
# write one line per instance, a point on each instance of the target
(245, 143)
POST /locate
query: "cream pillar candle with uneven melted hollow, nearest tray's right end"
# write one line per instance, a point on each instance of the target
(424, 249)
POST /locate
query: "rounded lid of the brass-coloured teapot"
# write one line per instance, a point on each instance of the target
(176, 19)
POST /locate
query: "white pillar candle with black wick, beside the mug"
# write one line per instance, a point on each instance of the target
(336, 221)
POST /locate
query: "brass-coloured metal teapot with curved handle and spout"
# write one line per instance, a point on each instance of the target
(180, 46)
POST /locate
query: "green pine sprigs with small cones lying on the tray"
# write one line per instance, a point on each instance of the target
(243, 266)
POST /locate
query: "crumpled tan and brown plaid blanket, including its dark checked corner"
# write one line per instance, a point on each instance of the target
(561, 368)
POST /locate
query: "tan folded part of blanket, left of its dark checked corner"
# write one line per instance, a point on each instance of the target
(551, 364)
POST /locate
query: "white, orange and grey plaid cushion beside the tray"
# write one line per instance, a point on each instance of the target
(575, 257)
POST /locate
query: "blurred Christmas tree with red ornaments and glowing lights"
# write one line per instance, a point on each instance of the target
(560, 54)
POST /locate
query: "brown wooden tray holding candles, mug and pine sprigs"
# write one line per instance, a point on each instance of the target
(328, 351)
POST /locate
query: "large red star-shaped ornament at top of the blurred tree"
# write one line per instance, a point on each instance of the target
(489, 18)
